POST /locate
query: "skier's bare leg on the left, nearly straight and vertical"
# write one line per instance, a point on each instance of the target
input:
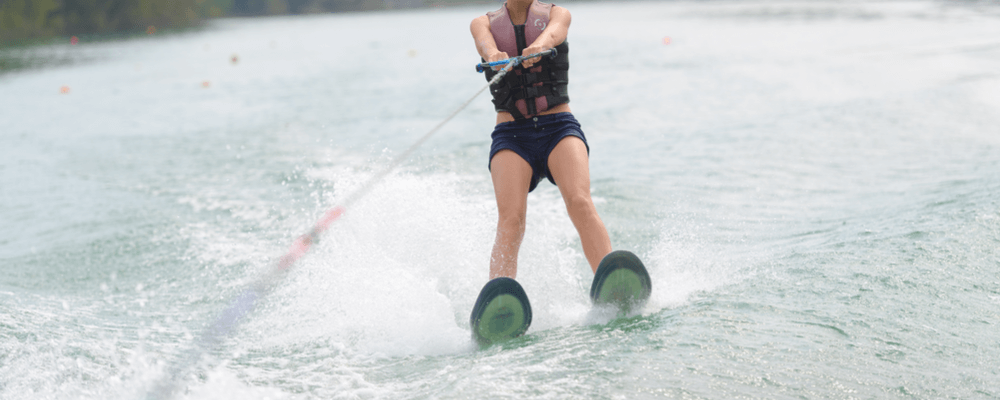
(511, 178)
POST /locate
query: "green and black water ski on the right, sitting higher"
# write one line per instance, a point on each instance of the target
(621, 281)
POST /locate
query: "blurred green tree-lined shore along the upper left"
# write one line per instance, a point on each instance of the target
(27, 19)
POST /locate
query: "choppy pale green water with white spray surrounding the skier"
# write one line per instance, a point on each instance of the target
(814, 187)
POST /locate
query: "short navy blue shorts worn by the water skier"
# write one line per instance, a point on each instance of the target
(534, 138)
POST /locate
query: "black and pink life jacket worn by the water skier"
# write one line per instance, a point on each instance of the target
(526, 92)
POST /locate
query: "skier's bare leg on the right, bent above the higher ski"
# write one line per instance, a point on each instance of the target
(568, 163)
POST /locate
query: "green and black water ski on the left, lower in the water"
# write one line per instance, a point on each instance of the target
(501, 312)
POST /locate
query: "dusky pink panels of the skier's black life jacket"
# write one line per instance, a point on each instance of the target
(502, 29)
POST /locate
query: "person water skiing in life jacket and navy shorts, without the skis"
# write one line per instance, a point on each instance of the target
(536, 135)
